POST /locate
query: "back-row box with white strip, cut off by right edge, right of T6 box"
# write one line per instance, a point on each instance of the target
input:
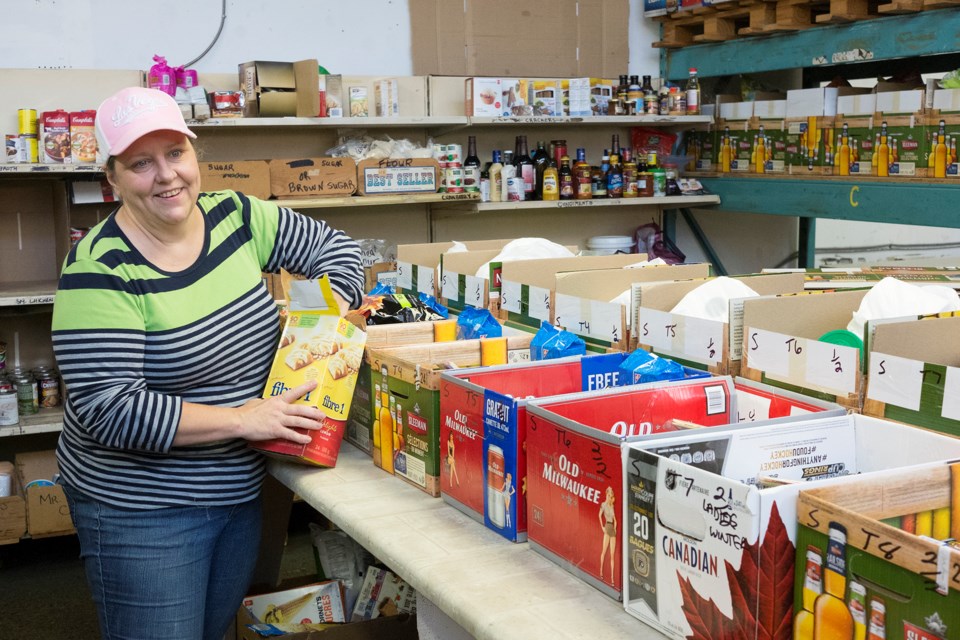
(912, 373)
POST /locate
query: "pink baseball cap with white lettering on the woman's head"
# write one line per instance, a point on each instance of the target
(134, 112)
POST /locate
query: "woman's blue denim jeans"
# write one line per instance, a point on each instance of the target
(178, 572)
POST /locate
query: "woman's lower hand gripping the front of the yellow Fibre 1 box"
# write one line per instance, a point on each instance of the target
(276, 417)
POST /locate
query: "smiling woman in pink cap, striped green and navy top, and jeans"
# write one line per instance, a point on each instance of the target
(165, 334)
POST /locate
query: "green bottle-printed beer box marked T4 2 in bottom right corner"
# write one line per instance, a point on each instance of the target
(887, 552)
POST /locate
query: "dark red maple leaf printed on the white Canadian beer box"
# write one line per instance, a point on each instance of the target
(761, 596)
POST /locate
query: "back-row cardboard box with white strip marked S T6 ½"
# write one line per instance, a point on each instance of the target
(782, 344)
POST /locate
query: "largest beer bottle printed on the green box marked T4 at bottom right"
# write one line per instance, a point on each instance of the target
(831, 616)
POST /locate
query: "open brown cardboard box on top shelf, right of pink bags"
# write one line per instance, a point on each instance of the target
(276, 89)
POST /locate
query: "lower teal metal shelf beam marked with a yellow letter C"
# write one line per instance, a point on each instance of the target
(875, 200)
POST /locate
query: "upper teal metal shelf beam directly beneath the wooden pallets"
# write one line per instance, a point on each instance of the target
(902, 36)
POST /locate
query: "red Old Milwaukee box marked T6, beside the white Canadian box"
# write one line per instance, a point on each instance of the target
(574, 465)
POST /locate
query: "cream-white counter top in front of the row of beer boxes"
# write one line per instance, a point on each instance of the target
(493, 588)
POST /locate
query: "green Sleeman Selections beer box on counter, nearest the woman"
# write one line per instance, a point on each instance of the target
(408, 416)
